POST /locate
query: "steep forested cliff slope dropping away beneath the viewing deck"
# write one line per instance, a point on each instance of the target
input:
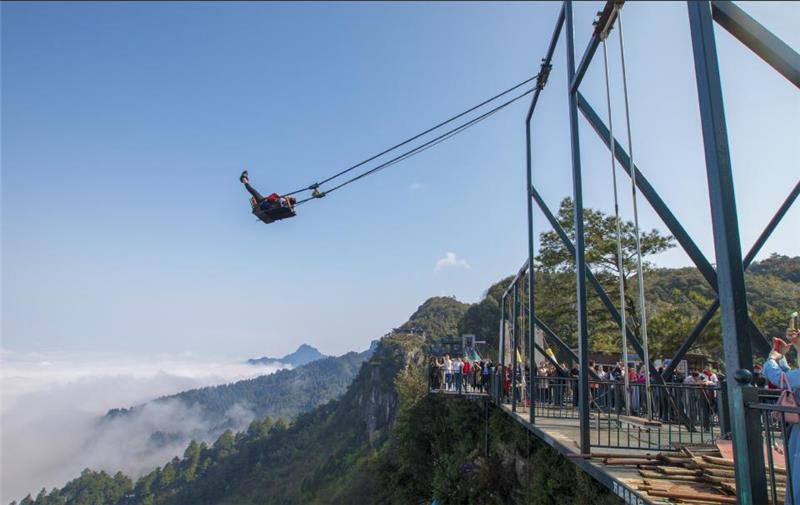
(384, 441)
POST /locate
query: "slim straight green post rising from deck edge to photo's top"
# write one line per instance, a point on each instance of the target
(580, 256)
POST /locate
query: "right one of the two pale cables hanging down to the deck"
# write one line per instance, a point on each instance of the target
(639, 267)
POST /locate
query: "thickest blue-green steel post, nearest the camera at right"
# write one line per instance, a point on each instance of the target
(747, 445)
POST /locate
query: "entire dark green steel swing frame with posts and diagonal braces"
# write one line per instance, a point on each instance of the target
(740, 335)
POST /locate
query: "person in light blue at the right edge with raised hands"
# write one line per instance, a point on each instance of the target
(776, 366)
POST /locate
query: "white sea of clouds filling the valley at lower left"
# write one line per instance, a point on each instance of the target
(51, 406)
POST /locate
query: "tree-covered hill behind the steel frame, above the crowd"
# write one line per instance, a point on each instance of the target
(676, 299)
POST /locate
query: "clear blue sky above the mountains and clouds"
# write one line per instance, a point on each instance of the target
(125, 126)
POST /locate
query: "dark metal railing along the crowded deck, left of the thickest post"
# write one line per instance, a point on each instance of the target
(681, 413)
